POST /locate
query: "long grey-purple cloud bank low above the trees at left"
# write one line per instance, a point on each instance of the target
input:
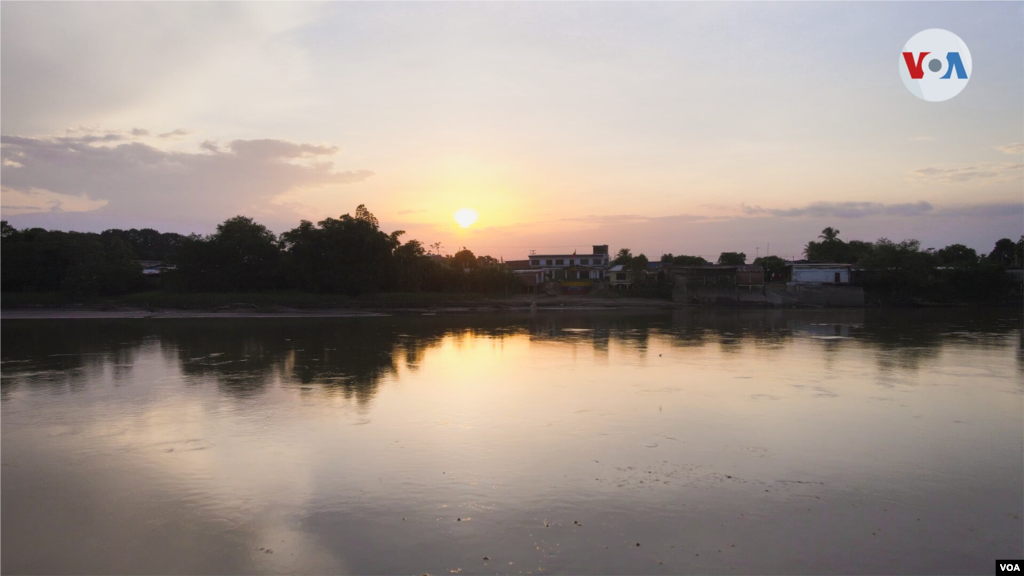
(132, 181)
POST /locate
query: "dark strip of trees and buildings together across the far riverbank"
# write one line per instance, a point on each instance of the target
(351, 256)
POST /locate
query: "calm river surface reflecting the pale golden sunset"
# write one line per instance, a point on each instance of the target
(721, 442)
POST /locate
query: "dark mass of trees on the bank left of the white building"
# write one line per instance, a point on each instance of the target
(346, 256)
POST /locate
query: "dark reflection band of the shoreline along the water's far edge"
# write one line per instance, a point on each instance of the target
(353, 356)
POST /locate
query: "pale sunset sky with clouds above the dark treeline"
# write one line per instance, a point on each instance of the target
(692, 129)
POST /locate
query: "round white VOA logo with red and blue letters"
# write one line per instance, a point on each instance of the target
(935, 65)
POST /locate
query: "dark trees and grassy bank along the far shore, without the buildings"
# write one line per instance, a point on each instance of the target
(351, 263)
